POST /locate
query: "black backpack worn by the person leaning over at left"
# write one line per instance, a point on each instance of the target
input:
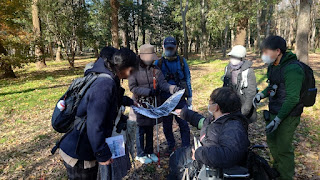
(64, 121)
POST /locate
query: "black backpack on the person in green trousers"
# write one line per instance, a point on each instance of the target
(309, 91)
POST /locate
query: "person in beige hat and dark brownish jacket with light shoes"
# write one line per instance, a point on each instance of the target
(141, 84)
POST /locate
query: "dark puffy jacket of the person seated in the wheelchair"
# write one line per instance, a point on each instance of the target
(225, 140)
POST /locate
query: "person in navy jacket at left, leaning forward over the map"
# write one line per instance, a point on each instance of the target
(82, 152)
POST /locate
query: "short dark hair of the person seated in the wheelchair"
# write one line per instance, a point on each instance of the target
(227, 99)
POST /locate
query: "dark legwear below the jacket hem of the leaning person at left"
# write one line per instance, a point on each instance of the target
(79, 173)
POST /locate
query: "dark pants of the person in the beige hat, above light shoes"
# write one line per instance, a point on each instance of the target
(148, 148)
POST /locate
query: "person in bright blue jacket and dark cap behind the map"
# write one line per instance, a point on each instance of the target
(176, 71)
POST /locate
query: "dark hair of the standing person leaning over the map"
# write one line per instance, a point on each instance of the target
(124, 58)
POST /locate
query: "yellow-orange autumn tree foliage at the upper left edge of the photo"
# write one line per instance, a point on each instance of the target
(14, 36)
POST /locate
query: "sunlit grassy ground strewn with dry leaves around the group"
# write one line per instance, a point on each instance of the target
(26, 104)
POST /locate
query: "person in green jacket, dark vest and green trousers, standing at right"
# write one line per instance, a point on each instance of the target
(285, 78)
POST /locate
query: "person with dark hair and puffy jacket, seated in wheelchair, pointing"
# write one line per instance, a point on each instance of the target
(223, 134)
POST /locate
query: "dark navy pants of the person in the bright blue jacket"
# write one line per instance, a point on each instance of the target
(183, 125)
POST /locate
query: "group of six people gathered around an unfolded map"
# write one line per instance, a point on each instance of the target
(223, 134)
